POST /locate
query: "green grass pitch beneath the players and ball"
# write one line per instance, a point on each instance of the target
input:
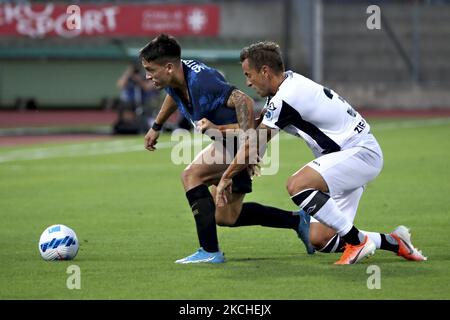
(129, 211)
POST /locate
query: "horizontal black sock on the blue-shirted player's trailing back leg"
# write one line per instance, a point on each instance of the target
(257, 214)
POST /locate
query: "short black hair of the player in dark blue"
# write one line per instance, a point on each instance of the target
(164, 48)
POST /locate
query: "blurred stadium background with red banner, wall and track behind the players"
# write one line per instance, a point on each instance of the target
(56, 81)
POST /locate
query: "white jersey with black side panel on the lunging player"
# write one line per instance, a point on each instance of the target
(317, 114)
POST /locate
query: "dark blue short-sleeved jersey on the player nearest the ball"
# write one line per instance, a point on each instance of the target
(208, 94)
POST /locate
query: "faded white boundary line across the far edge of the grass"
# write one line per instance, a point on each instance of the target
(122, 146)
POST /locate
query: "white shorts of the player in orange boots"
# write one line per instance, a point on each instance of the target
(347, 172)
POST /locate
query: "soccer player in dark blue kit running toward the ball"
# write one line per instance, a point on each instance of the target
(207, 100)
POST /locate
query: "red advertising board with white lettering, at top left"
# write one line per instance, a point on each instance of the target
(41, 20)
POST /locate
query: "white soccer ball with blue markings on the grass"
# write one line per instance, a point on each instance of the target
(58, 242)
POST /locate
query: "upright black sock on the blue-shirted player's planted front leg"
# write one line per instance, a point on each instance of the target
(203, 208)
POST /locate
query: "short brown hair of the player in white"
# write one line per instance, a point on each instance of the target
(263, 53)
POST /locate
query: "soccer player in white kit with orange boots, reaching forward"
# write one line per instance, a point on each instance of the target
(347, 155)
